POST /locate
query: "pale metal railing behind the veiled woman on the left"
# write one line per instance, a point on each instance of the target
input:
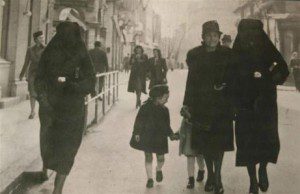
(97, 106)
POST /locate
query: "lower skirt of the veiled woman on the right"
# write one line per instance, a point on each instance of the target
(257, 138)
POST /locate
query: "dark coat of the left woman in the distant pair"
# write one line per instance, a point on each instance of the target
(139, 69)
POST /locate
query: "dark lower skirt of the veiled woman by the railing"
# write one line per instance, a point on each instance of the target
(61, 134)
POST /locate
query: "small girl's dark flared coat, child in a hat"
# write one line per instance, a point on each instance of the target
(153, 125)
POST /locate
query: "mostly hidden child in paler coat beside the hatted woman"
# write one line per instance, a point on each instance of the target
(192, 155)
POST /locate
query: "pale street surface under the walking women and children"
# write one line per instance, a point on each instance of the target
(106, 164)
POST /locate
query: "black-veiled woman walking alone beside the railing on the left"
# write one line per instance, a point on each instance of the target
(65, 76)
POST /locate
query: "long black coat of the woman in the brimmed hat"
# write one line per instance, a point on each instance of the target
(207, 105)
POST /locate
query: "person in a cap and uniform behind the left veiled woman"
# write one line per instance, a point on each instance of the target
(30, 66)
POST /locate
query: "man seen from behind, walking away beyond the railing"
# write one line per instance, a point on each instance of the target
(99, 59)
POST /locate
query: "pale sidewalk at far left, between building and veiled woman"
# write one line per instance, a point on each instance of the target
(19, 145)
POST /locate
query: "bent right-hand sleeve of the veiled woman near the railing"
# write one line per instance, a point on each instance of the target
(87, 84)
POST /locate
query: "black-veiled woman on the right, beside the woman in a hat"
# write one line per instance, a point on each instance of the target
(260, 69)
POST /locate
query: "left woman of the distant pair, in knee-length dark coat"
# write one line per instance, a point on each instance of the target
(139, 69)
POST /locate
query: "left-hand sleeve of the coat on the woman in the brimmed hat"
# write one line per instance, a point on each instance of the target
(188, 96)
